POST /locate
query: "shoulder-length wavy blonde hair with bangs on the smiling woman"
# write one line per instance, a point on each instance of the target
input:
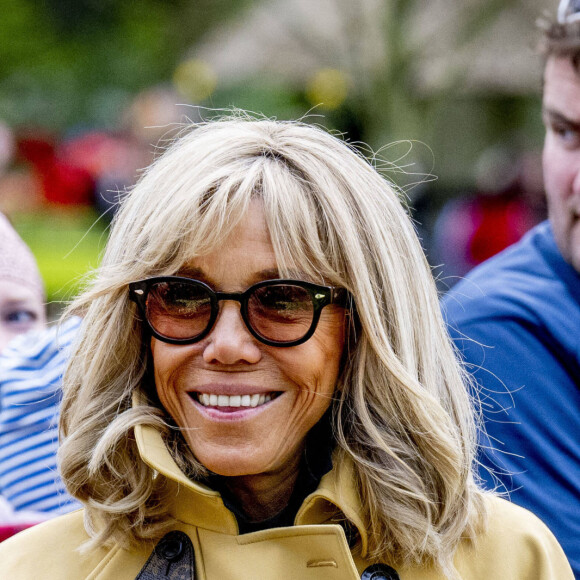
(402, 412)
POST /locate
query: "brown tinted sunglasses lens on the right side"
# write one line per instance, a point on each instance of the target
(281, 312)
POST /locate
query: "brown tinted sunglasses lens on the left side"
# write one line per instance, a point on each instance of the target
(178, 310)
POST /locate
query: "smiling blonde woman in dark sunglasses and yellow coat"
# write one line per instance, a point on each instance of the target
(264, 388)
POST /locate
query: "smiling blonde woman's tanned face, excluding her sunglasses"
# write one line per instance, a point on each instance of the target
(294, 385)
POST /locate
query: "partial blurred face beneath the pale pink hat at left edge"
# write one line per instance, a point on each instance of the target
(21, 310)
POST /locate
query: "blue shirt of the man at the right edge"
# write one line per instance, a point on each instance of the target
(516, 321)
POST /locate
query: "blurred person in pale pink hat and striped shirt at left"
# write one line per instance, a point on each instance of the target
(32, 362)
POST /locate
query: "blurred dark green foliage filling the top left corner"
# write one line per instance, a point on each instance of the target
(65, 63)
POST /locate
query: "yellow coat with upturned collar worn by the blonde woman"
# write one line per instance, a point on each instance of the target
(517, 545)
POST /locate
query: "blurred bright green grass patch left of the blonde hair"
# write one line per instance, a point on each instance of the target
(67, 245)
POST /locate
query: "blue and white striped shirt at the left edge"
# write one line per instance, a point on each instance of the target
(31, 370)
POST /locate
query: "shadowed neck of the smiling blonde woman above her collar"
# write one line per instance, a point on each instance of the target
(264, 495)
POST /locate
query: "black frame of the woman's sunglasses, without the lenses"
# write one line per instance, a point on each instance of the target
(321, 296)
